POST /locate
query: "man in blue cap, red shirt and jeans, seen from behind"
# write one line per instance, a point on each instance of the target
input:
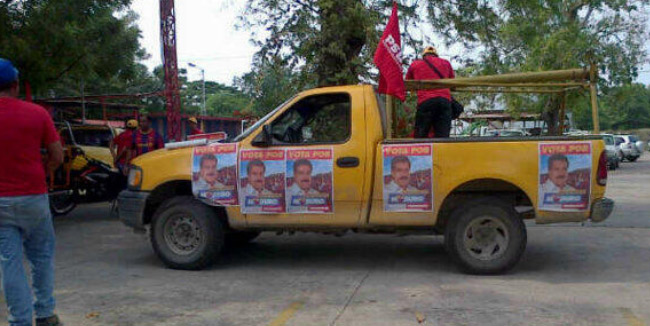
(25, 219)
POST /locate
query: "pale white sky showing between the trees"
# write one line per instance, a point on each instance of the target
(206, 36)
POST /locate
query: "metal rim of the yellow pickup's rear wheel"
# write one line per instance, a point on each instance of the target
(486, 238)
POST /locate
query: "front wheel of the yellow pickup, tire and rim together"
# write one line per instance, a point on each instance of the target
(186, 234)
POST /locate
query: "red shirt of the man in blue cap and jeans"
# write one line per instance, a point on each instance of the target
(25, 128)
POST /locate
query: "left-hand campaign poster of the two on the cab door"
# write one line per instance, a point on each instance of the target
(261, 181)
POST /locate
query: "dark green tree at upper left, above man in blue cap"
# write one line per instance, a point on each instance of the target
(67, 45)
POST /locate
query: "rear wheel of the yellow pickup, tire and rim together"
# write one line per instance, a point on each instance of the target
(503, 225)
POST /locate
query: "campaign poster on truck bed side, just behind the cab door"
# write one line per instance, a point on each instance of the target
(408, 177)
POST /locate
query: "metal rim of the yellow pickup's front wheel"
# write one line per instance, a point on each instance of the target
(183, 234)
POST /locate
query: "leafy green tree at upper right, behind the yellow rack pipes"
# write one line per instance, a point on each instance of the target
(522, 35)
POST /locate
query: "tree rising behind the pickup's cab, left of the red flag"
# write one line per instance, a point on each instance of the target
(331, 42)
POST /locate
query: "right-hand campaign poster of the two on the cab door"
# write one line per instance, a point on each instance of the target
(309, 181)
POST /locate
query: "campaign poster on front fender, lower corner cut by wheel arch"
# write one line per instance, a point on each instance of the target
(214, 174)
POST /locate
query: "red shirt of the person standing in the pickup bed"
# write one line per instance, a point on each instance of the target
(420, 70)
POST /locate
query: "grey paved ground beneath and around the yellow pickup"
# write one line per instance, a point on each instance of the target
(570, 275)
